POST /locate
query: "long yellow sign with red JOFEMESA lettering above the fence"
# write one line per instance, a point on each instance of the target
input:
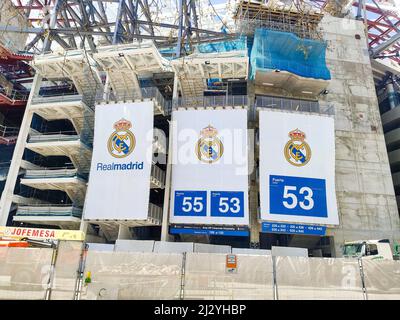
(42, 234)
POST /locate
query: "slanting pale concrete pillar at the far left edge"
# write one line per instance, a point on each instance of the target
(8, 192)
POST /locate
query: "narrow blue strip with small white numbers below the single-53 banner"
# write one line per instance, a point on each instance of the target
(272, 227)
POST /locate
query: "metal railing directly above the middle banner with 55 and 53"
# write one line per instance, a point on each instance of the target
(212, 101)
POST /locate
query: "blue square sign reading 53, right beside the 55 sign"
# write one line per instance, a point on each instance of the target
(227, 204)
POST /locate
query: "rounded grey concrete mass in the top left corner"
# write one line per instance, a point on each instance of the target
(9, 16)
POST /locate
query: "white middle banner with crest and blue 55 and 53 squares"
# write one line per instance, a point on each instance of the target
(210, 168)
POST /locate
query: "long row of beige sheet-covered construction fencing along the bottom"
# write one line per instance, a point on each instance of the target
(69, 271)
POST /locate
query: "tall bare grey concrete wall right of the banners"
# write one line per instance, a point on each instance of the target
(365, 194)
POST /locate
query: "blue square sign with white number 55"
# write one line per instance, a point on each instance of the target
(190, 203)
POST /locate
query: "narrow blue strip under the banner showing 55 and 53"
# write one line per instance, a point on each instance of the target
(209, 230)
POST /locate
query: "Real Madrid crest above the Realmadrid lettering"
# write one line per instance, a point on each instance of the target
(122, 141)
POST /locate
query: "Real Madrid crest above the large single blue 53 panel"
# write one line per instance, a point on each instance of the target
(297, 151)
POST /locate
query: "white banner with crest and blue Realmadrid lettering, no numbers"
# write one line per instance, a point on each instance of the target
(119, 184)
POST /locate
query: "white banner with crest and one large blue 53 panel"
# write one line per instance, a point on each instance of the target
(297, 168)
